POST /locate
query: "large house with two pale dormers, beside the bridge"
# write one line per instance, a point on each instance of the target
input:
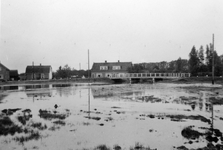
(110, 69)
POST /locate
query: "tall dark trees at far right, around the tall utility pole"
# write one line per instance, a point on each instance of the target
(200, 61)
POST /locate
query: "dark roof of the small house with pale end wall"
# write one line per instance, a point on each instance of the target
(38, 69)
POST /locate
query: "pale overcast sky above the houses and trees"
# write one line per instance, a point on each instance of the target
(59, 32)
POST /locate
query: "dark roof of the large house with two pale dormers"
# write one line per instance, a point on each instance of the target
(124, 66)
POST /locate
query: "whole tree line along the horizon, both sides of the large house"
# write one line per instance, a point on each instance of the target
(199, 64)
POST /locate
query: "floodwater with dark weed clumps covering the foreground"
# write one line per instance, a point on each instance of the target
(70, 117)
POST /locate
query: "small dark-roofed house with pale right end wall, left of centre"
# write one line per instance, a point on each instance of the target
(39, 72)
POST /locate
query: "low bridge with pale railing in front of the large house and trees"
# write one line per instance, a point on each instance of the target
(153, 76)
